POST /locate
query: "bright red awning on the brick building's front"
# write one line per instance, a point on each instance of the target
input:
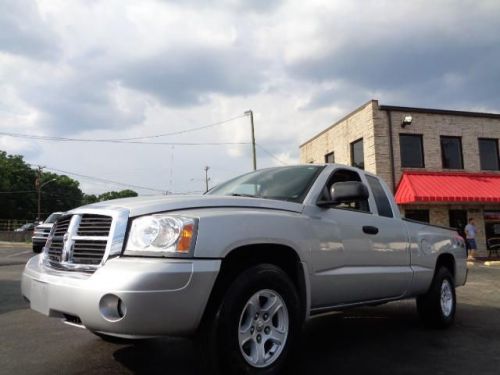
(416, 187)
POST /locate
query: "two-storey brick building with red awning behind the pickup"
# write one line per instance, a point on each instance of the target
(442, 165)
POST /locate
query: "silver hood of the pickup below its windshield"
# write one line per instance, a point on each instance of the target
(145, 205)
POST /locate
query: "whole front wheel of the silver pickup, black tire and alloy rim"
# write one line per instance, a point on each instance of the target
(255, 326)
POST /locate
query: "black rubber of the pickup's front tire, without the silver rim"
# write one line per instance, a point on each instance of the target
(264, 276)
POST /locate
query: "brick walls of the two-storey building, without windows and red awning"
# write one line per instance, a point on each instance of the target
(372, 124)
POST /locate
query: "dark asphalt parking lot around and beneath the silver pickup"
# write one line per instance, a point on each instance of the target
(387, 339)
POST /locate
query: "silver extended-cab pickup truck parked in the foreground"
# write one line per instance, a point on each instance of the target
(243, 266)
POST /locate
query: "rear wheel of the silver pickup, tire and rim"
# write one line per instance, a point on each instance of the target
(437, 307)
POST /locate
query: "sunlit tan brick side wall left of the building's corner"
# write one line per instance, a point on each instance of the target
(338, 138)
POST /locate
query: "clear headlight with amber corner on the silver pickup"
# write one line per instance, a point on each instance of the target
(161, 235)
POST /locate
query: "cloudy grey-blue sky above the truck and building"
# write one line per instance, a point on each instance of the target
(121, 69)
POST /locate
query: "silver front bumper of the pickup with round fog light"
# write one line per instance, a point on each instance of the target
(159, 296)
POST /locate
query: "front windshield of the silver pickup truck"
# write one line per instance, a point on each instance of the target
(284, 183)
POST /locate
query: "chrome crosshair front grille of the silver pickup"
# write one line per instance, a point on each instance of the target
(84, 239)
